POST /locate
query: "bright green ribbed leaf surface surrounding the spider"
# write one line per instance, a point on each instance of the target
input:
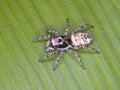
(23, 20)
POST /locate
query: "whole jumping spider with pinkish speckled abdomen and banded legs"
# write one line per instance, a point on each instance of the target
(60, 43)
